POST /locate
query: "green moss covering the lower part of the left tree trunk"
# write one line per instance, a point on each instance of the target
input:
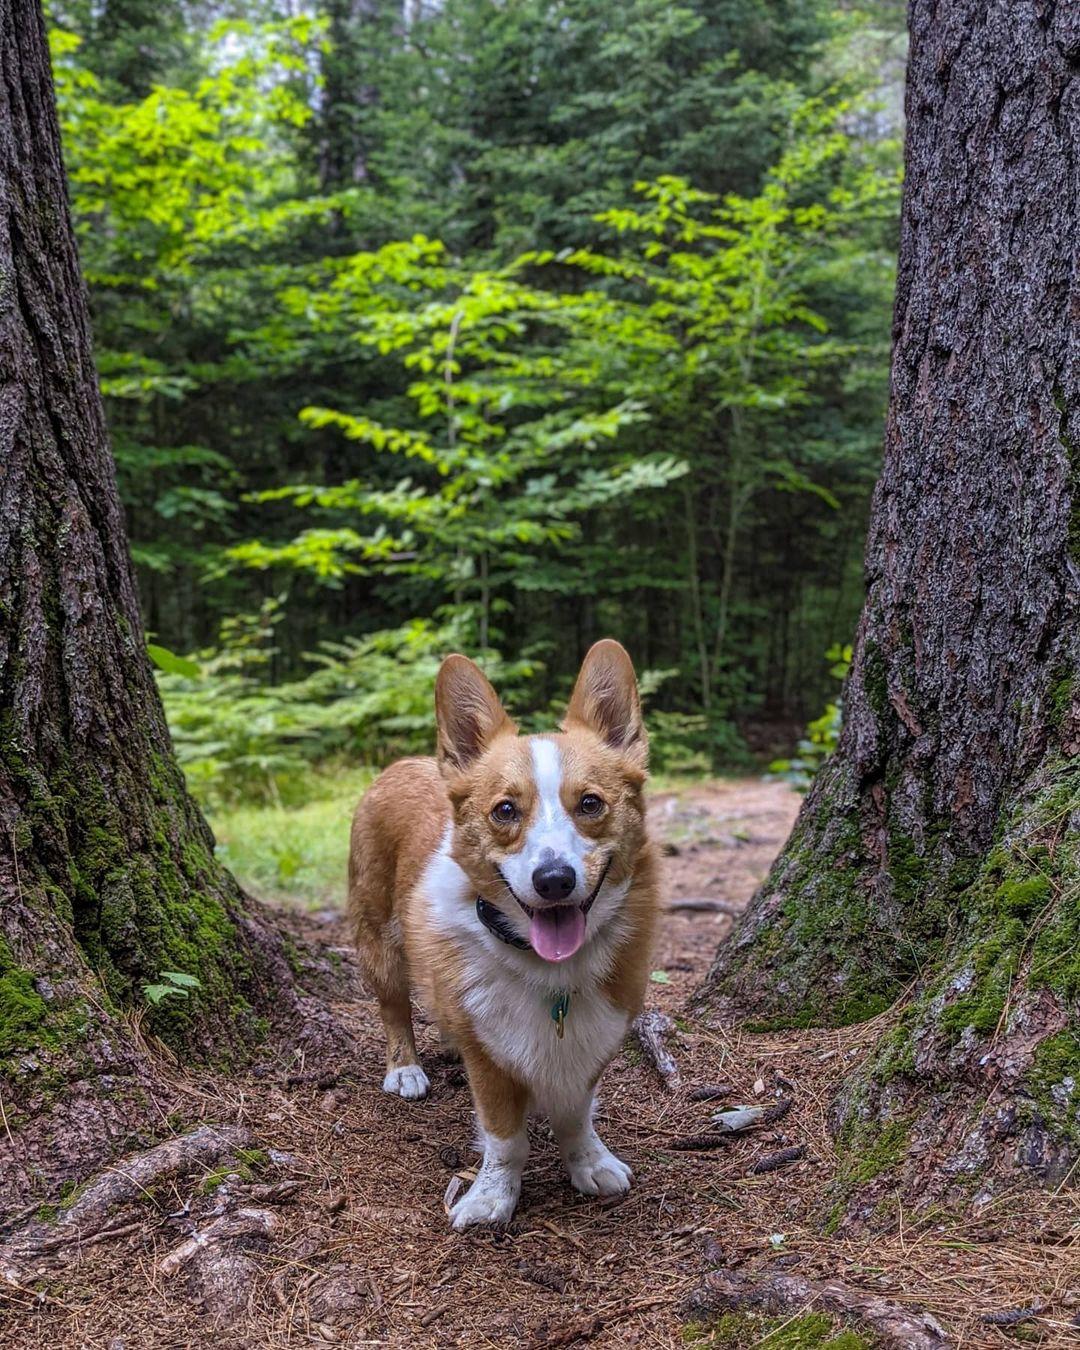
(130, 866)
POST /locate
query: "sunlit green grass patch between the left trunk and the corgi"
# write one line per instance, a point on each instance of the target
(295, 854)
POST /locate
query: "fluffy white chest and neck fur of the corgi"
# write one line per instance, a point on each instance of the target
(510, 996)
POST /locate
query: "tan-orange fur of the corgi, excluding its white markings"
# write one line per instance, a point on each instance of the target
(403, 820)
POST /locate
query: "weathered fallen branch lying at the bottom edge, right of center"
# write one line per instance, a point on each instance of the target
(894, 1326)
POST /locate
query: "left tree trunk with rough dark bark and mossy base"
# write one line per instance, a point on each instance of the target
(107, 870)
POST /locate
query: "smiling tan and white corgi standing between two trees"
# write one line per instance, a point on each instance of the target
(512, 885)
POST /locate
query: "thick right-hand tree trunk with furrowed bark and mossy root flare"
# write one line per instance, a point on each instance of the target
(938, 854)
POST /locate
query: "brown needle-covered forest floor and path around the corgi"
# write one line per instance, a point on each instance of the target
(354, 1248)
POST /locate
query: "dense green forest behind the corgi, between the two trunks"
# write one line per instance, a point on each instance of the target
(495, 327)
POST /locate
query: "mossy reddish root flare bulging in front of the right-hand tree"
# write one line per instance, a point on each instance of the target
(977, 1086)
